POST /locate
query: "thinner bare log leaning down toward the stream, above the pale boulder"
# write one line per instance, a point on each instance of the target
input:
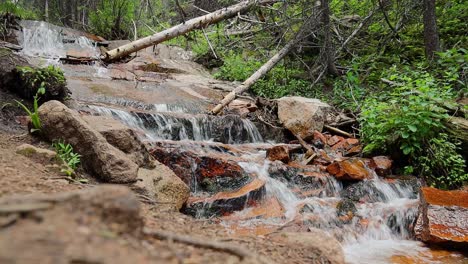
(262, 71)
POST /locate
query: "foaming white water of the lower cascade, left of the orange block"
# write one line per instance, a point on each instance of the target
(374, 243)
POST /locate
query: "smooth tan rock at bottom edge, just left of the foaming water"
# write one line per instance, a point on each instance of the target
(320, 247)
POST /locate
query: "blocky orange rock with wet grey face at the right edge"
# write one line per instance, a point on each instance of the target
(443, 217)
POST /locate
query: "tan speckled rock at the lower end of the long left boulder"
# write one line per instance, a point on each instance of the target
(164, 186)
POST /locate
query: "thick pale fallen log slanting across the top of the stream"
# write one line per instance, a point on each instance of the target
(180, 29)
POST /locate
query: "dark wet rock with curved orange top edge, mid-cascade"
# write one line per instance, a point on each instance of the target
(225, 203)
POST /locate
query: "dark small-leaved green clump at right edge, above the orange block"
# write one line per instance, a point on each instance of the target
(441, 164)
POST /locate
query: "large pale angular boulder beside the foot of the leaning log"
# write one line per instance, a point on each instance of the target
(302, 116)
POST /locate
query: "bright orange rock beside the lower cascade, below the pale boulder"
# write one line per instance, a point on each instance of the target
(350, 169)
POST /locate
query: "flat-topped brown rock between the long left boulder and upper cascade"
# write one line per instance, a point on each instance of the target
(121, 137)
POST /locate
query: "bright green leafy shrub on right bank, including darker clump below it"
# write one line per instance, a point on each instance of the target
(409, 121)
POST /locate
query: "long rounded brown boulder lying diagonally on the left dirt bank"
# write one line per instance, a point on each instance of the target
(107, 162)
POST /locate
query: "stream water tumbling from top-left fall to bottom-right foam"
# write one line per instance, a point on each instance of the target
(379, 232)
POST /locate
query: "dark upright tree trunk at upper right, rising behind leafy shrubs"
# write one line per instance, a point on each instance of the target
(431, 37)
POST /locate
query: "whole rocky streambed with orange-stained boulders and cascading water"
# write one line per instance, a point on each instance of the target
(142, 123)
